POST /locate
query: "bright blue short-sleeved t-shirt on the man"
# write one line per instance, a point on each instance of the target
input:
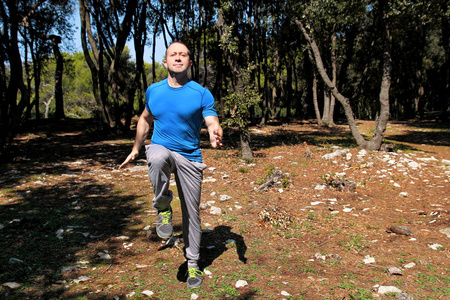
(178, 116)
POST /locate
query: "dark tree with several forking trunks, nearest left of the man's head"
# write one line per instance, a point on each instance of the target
(113, 23)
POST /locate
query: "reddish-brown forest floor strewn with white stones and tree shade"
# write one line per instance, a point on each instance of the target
(73, 226)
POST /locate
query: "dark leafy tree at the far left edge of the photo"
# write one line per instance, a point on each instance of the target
(17, 18)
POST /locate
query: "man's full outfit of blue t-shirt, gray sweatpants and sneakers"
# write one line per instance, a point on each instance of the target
(178, 117)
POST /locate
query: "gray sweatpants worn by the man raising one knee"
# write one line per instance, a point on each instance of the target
(188, 176)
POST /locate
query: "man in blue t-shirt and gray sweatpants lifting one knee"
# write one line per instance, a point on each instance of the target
(178, 106)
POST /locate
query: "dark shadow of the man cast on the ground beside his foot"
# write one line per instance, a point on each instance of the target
(213, 244)
